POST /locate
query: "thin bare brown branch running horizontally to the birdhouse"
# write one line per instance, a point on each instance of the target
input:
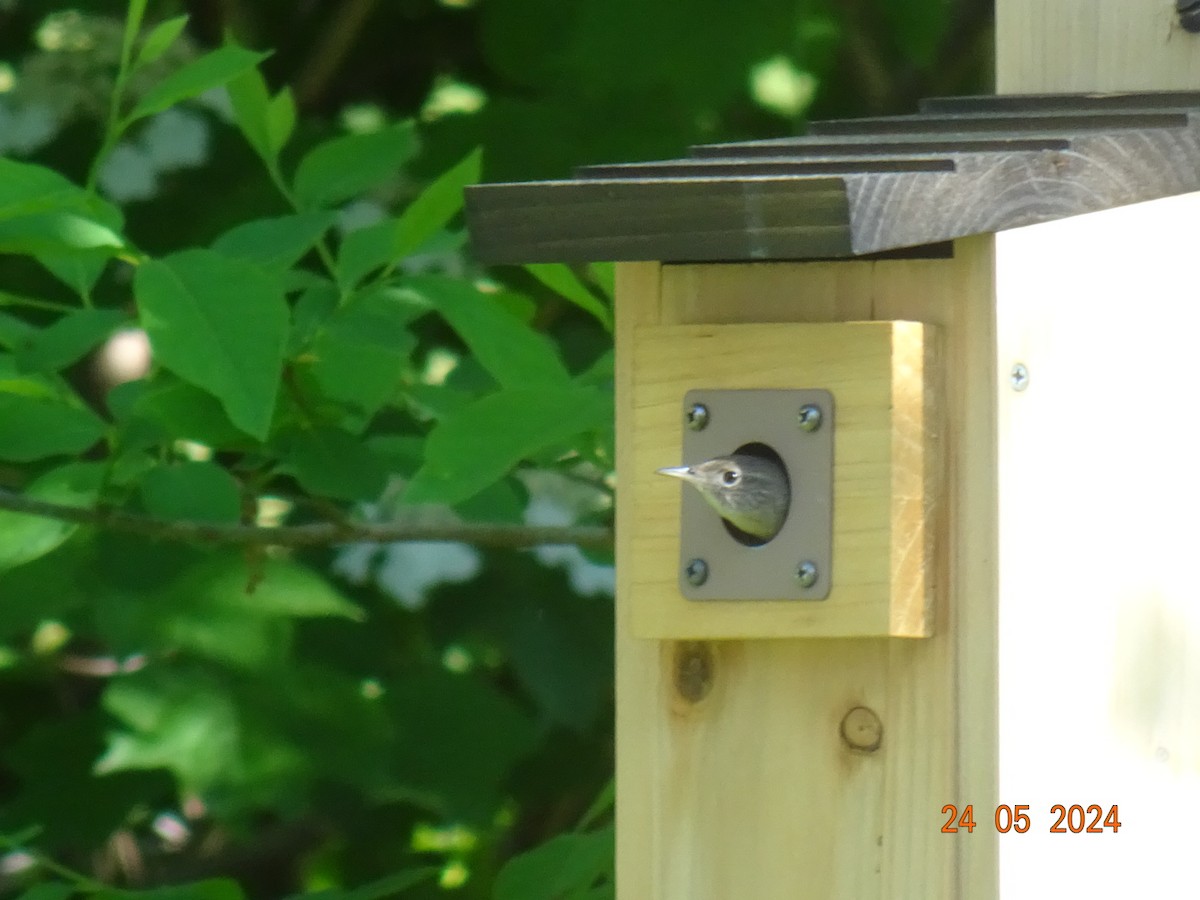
(315, 535)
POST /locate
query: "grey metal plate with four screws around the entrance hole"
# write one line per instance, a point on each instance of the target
(769, 572)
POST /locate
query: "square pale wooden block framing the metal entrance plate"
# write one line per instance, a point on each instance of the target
(887, 473)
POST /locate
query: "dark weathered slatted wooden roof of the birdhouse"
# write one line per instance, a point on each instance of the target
(859, 187)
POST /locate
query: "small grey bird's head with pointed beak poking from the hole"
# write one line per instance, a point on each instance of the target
(749, 493)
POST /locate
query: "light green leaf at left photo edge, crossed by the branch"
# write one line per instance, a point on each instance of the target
(27, 538)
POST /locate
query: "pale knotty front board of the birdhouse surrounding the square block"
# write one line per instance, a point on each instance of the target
(751, 790)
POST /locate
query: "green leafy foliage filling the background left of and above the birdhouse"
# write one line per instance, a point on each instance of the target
(280, 230)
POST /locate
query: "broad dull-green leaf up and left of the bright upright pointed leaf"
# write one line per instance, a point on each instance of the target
(346, 167)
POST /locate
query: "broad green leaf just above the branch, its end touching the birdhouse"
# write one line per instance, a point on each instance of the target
(481, 445)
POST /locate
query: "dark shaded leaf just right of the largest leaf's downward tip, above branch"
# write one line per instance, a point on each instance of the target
(331, 463)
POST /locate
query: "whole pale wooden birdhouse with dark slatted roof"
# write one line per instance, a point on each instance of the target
(965, 664)
